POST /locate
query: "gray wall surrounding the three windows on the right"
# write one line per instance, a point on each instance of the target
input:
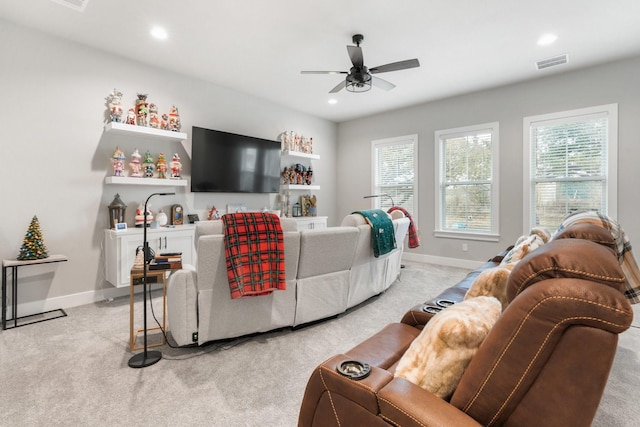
(617, 82)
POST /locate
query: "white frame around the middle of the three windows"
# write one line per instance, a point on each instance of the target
(494, 234)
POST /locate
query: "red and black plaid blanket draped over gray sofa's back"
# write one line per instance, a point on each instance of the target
(254, 248)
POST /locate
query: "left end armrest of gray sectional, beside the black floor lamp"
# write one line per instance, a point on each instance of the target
(182, 303)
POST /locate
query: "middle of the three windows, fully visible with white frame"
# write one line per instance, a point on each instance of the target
(467, 182)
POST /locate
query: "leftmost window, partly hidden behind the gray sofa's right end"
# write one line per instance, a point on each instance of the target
(395, 173)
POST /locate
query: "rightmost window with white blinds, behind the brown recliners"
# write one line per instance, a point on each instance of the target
(570, 160)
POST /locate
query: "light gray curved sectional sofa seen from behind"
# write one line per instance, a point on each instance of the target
(327, 271)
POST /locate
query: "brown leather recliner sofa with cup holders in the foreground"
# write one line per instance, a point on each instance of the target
(544, 363)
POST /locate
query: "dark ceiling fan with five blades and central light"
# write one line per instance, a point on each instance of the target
(360, 78)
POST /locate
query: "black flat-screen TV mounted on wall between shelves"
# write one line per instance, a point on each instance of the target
(231, 163)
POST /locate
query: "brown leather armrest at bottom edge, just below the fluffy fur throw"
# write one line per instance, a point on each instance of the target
(405, 404)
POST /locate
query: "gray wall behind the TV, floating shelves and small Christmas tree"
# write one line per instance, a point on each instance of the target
(55, 155)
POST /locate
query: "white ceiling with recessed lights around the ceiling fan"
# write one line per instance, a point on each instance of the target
(260, 46)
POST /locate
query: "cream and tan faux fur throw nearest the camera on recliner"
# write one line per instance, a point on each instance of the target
(438, 357)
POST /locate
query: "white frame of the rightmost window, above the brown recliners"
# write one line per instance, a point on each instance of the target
(611, 111)
